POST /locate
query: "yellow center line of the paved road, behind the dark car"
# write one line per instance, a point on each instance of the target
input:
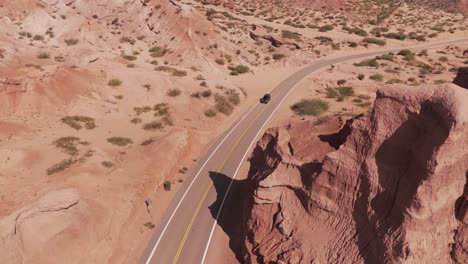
(220, 167)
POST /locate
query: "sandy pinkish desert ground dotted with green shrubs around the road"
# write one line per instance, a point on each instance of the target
(106, 106)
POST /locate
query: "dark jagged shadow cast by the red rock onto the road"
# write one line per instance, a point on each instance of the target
(234, 211)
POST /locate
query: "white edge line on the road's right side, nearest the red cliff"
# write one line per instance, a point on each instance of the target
(240, 163)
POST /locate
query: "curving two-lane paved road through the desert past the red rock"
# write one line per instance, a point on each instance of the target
(185, 232)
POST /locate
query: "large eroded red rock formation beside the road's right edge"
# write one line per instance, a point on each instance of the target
(394, 191)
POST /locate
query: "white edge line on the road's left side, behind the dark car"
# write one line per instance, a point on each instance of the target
(188, 188)
